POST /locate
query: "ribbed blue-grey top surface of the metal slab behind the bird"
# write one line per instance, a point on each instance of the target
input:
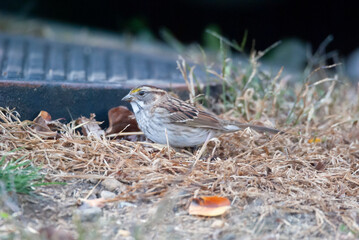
(24, 58)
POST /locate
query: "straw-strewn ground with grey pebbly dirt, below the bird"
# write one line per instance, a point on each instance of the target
(276, 190)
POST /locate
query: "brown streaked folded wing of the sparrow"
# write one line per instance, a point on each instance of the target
(184, 113)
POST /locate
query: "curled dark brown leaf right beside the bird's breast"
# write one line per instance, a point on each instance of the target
(119, 118)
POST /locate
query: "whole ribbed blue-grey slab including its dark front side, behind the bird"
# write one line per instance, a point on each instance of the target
(70, 80)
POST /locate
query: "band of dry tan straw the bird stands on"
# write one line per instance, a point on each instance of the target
(286, 172)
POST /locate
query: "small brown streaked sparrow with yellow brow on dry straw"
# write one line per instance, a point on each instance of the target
(166, 119)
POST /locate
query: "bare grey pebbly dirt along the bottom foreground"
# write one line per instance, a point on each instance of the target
(162, 219)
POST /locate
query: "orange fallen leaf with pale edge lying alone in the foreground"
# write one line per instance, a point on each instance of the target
(209, 206)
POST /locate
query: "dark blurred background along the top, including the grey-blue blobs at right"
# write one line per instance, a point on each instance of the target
(301, 25)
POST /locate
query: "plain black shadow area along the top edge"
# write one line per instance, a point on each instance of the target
(266, 21)
